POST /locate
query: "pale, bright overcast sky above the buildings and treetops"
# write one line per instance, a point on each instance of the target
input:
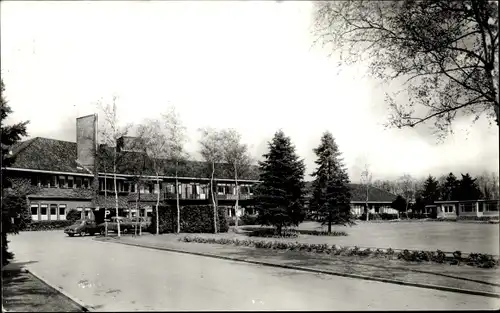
(251, 66)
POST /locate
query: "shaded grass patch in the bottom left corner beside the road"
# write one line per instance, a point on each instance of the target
(24, 292)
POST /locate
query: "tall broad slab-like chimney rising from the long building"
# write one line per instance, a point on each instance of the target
(86, 140)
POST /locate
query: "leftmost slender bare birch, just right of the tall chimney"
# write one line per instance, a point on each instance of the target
(110, 133)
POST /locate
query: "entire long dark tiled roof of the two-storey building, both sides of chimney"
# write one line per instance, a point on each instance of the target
(56, 155)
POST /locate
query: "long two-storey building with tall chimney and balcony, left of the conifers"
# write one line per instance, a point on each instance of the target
(65, 174)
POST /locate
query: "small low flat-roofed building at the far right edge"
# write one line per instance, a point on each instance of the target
(467, 208)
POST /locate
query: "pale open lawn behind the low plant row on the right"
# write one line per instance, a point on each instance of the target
(446, 236)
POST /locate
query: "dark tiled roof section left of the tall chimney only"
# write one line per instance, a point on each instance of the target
(46, 154)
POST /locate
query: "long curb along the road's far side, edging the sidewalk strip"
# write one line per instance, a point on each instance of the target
(319, 271)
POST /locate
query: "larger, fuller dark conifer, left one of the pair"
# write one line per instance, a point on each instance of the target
(279, 196)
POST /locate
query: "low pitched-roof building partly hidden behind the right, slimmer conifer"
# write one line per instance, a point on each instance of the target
(379, 201)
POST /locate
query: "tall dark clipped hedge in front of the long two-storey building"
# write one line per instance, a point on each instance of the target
(193, 219)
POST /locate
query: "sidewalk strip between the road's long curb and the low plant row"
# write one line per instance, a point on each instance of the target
(461, 277)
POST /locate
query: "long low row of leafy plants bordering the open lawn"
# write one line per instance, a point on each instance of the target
(474, 259)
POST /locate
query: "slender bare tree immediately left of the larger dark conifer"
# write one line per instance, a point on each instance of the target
(237, 156)
